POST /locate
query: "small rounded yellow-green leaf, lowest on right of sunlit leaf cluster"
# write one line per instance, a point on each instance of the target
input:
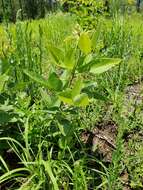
(81, 100)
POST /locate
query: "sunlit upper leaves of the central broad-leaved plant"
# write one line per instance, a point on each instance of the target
(73, 63)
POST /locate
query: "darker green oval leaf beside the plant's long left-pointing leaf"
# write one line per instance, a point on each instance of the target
(54, 82)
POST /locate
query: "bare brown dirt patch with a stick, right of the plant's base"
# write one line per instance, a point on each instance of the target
(102, 139)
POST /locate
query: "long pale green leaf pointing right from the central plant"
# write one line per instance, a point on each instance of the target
(103, 64)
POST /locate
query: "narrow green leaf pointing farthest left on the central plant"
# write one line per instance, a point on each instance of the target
(36, 77)
